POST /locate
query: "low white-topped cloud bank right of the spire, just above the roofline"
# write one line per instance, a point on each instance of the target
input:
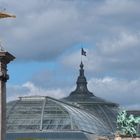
(124, 92)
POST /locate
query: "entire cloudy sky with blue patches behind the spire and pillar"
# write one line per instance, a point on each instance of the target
(46, 38)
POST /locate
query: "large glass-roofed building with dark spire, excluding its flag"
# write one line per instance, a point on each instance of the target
(80, 116)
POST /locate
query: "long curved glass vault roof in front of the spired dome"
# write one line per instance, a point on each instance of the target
(37, 113)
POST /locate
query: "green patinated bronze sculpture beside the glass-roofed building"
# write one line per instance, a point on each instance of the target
(127, 124)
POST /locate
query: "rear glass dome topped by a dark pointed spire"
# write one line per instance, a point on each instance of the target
(104, 110)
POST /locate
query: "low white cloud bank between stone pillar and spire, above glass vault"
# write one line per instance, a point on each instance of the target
(29, 89)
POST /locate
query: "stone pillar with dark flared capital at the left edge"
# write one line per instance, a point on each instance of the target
(5, 58)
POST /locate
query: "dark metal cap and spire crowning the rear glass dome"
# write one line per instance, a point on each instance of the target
(82, 94)
